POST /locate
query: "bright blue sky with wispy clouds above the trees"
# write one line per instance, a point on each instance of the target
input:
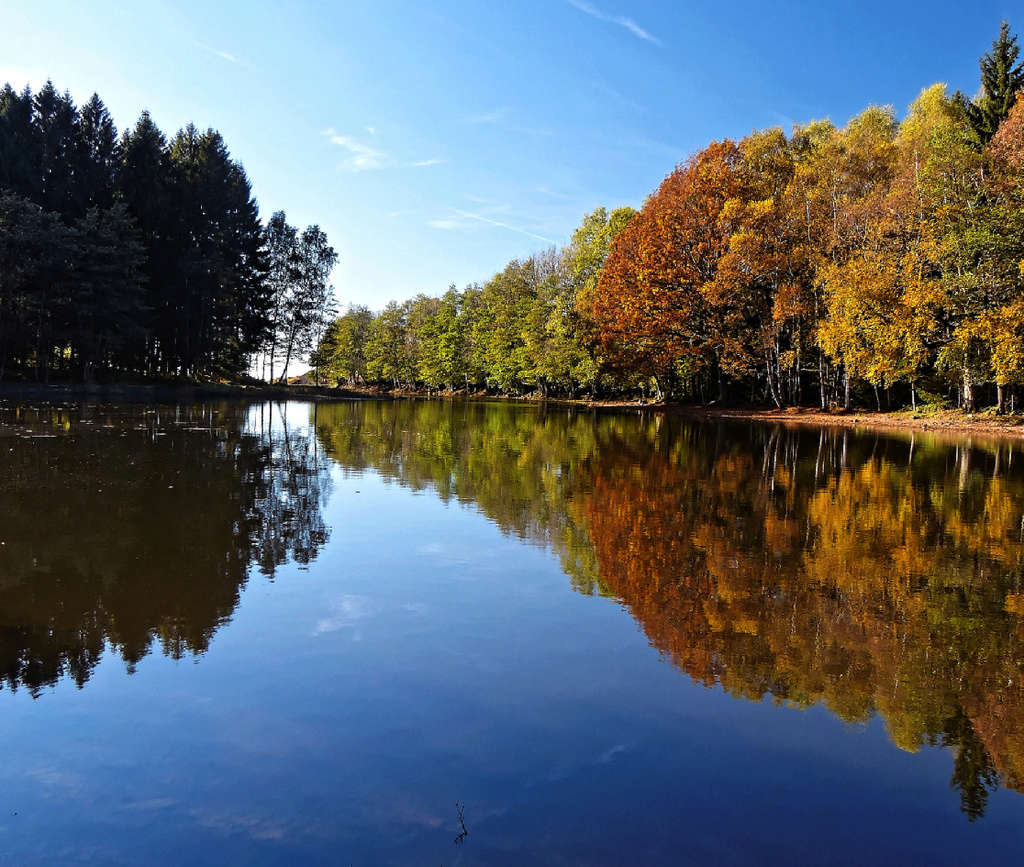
(434, 142)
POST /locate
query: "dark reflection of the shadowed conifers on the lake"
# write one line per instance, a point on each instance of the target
(129, 528)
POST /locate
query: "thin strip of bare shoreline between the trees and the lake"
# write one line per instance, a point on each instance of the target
(943, 421)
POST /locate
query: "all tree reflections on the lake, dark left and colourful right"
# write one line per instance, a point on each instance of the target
(873, 576)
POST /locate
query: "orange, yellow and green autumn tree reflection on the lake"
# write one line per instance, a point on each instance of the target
(871, 575)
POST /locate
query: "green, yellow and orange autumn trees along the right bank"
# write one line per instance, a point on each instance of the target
(880, 264)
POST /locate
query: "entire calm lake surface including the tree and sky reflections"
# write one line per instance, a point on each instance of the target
(288, 634)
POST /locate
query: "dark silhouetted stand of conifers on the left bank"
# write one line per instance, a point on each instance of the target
(143, 255)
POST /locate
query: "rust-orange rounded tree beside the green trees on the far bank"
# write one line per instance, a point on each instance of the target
(649, 315)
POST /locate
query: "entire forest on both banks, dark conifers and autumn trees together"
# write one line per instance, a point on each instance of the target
(880, 265)
